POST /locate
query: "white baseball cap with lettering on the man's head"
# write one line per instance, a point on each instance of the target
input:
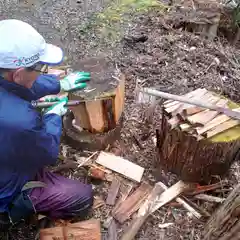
(22, 46)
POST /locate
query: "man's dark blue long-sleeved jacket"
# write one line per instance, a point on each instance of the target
(28, 140)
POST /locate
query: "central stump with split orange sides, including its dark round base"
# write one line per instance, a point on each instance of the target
(97, 120)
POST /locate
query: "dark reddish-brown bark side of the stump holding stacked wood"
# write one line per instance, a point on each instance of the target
(193, 160)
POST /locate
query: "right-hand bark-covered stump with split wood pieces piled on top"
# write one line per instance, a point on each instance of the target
(195, 143)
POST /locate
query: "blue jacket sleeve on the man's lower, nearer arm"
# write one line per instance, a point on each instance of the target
(41, 142)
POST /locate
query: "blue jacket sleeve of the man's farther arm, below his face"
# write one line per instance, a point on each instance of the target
(47, 84)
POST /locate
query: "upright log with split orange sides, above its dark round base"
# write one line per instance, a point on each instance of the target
(104, 96)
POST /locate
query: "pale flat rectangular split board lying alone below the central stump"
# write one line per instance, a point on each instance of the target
(120, 165)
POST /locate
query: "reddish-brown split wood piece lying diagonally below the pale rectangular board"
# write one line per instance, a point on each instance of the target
(132, 203)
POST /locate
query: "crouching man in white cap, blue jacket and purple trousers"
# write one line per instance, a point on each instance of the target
(30, 140)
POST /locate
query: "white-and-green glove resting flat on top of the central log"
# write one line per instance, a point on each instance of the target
(74, 81)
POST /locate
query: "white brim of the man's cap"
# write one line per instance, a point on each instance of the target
(53, 55)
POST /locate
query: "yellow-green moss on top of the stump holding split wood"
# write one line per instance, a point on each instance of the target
(231, 134)
